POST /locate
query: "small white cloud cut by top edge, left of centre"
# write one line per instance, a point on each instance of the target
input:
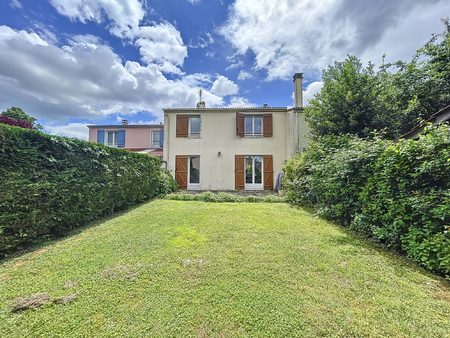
(125, 16)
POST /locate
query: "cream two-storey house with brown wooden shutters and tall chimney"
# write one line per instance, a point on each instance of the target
(233, 148)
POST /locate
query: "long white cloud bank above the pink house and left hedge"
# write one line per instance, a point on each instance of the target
(87, 80)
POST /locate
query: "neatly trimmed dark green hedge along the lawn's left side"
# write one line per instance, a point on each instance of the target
(50, 185)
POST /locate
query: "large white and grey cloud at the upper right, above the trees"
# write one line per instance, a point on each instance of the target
(288, 36)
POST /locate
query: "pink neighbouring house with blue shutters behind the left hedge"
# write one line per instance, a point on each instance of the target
(142, 138)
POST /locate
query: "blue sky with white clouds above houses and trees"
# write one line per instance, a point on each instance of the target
(71, 63)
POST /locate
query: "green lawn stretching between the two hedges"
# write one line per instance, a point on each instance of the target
(174, 268)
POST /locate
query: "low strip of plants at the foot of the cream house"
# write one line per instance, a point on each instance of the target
(224, 197)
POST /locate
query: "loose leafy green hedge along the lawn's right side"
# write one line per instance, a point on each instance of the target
(395, 193)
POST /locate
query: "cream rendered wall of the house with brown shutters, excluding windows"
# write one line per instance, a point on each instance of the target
(218, 133)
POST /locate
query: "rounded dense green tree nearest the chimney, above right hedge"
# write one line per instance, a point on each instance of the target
(349, 101)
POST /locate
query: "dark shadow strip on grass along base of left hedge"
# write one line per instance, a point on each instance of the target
(50, 240)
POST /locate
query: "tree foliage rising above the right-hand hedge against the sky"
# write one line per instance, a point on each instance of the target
(358, 100)
